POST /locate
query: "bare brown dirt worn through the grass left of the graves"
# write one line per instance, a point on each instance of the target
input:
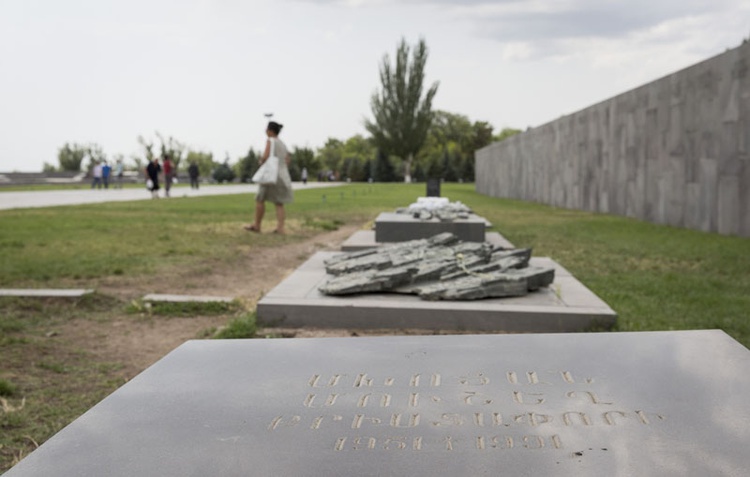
(137, 342)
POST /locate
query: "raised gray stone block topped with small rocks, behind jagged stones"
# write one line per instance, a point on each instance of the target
(393, 227)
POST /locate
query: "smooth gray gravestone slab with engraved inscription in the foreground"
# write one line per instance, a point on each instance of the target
(630, 404)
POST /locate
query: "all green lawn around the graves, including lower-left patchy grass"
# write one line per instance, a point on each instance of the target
(655, 277)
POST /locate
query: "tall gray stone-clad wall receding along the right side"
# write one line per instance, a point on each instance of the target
(675, 151)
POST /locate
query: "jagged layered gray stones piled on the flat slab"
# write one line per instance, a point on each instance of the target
(438, 268)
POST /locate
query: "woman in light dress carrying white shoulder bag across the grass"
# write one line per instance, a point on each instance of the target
(279, 193)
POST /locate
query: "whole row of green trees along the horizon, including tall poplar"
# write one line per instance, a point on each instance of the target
(408, 140)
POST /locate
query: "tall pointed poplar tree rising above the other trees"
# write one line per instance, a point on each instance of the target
(402, 116)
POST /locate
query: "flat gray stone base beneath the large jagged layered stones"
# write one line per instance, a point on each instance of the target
(567, 305)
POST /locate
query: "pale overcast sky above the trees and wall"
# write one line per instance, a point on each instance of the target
(206, 71)
